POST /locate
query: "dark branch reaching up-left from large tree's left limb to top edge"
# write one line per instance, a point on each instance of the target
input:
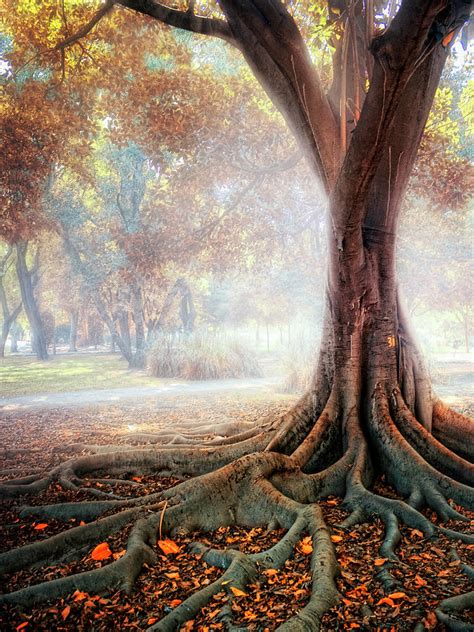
(186, 20)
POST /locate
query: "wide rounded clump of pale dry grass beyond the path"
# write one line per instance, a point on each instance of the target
(201, 356)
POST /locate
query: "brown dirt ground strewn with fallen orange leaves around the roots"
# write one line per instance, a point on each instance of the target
(426, 571)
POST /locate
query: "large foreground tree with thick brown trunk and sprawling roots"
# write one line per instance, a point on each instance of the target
(370, 409)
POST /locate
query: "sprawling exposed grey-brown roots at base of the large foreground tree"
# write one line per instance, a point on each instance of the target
(253, 477)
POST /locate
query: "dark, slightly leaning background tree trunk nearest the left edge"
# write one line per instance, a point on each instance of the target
(29, 303)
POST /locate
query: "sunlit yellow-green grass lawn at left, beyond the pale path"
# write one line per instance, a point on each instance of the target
(24, 375)
